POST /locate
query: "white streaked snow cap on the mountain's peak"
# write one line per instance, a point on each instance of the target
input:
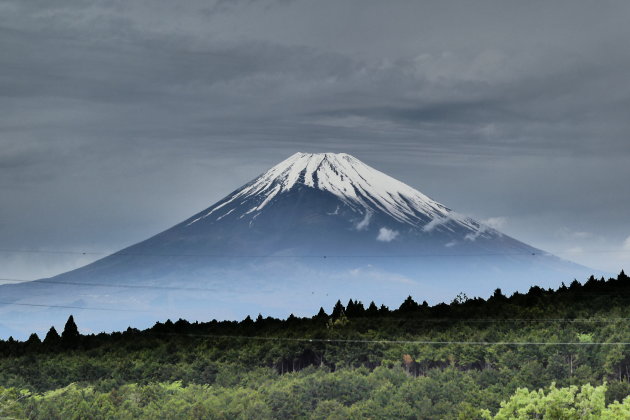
(356, 184)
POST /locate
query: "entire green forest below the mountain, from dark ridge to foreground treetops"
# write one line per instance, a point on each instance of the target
(546, 353)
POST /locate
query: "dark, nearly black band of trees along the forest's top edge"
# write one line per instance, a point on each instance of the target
(576, 303)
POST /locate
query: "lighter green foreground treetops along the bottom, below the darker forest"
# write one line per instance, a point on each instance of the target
(385, 393)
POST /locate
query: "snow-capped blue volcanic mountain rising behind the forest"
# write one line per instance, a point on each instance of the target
(313, 229)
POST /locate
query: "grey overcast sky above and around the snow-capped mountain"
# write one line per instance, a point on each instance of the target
(119, 119)
